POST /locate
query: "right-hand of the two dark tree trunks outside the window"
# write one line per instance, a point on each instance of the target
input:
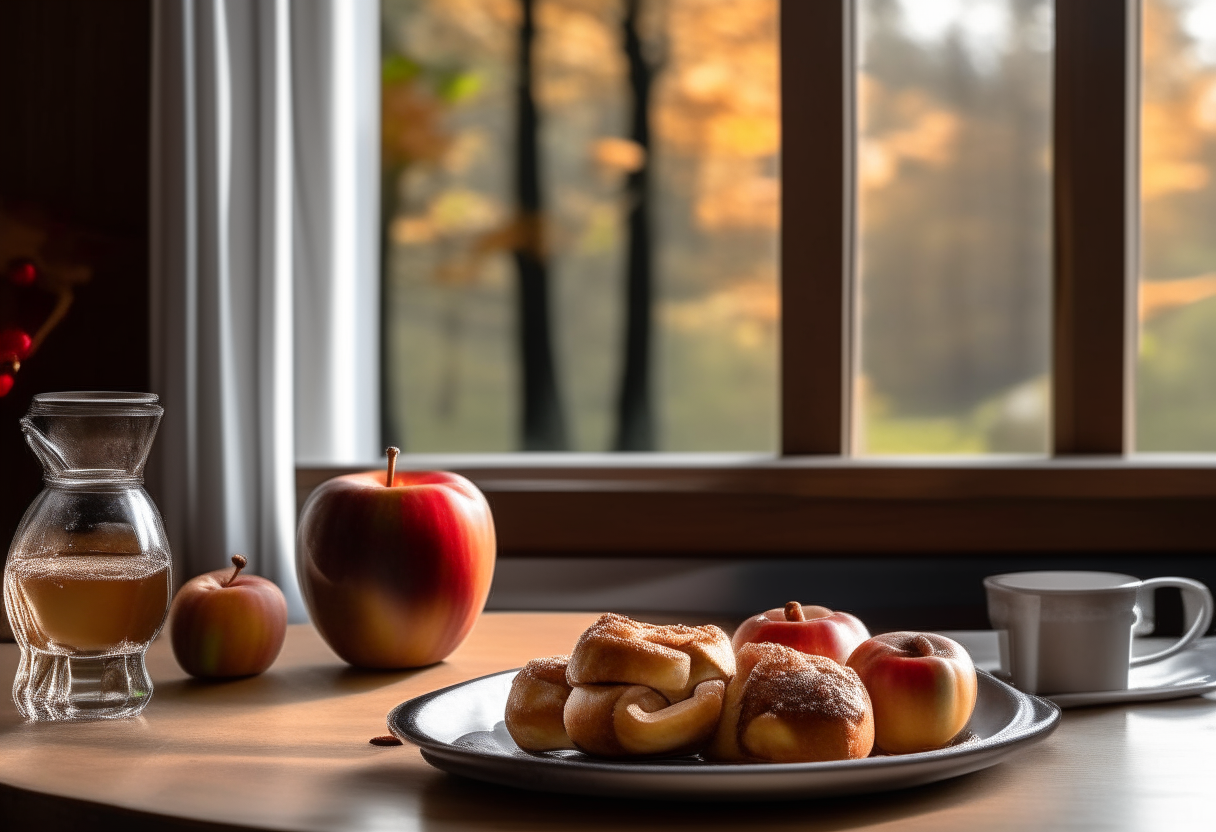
(635, 407)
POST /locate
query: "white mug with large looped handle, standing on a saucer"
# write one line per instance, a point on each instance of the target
(1072, 632)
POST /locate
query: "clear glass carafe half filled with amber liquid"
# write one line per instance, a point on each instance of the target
(88, 581)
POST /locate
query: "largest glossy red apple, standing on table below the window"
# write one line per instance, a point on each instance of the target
(396, 570)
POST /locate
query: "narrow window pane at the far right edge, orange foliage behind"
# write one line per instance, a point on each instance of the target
(1176, 379)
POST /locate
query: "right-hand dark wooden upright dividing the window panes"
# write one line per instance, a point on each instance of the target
(1096, 223)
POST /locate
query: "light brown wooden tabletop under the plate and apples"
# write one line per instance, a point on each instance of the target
(289, 751)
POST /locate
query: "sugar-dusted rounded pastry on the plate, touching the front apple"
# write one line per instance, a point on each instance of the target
(785, 706)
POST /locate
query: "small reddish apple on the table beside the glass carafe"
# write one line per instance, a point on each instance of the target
(226, 625)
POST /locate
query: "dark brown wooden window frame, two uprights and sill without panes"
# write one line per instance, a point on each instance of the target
(815, 498)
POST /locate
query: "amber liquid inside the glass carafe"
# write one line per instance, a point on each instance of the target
(95, 604)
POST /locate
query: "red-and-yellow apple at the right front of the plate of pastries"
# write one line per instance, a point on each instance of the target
(922, 687)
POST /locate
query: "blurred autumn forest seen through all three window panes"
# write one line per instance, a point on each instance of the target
(581, 220)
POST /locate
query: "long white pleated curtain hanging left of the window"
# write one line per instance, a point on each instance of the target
(264, 274)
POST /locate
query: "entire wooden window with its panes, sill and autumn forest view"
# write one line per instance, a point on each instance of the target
(958, 190)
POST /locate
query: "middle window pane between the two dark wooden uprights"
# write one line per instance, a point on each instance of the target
(955, 240)
